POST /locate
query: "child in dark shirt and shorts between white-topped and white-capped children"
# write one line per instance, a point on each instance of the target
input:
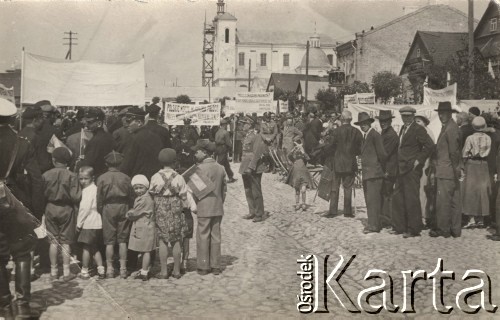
(114, 198)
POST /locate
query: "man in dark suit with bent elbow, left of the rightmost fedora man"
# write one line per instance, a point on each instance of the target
(415, 146)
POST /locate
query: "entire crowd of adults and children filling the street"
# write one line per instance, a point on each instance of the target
(117, 181)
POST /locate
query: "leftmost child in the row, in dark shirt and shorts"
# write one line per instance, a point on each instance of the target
(62, 193)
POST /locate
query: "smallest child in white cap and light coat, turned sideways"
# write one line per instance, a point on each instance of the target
(143, 231)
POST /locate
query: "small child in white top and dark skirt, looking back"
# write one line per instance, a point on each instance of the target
(89, 224)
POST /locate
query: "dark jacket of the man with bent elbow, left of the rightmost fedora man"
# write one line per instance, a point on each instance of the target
(415, 145)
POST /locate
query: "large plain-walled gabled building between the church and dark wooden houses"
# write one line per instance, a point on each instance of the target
(384, 48)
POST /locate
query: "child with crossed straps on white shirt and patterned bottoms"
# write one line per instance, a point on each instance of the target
(169, 191)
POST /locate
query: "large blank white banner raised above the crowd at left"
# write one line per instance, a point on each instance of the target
(82, 83)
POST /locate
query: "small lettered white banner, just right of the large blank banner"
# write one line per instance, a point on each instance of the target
(200, 114)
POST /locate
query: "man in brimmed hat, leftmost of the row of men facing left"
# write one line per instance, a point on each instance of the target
(373, 159)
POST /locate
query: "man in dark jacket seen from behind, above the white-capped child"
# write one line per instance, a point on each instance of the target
(141, 156)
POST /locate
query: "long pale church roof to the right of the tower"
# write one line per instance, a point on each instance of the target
(279, 37)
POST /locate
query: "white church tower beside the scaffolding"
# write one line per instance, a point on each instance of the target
(225, 46)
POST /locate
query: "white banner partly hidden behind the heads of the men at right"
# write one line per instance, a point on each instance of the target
(374, 110)
